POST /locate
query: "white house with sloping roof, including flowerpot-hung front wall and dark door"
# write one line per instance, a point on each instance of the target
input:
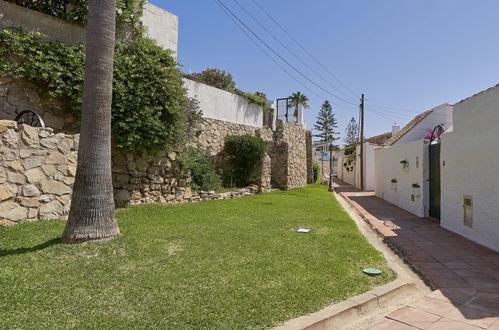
(402, 167)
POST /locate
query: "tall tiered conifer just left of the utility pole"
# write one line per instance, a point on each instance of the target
(325, 125)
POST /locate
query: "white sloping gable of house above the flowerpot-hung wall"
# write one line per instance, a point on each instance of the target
(441, 115)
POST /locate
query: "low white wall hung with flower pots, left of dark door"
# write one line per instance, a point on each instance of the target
(388, 166)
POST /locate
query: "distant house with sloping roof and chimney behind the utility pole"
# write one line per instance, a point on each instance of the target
(348, 165)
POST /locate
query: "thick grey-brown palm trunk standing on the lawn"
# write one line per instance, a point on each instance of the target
(91, 217)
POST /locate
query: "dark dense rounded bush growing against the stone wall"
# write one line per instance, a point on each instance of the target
(245, 154)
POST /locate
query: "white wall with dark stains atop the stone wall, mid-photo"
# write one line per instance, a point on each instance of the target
(218, 104)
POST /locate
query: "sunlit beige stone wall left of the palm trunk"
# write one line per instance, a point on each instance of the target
(37, 169)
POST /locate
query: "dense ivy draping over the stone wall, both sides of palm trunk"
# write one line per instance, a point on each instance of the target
(149, 100)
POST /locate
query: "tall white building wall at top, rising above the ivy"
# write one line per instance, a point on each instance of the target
(161, 26)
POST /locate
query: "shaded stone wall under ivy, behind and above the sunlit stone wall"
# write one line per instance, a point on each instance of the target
(15, 97)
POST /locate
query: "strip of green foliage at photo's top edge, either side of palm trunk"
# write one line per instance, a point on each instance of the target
(128, 12)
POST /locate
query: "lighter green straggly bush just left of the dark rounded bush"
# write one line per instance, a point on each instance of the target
(194, 163)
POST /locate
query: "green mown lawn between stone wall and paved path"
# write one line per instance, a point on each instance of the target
(220, 264)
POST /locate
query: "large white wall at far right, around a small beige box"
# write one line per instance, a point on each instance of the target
(470, 166)
